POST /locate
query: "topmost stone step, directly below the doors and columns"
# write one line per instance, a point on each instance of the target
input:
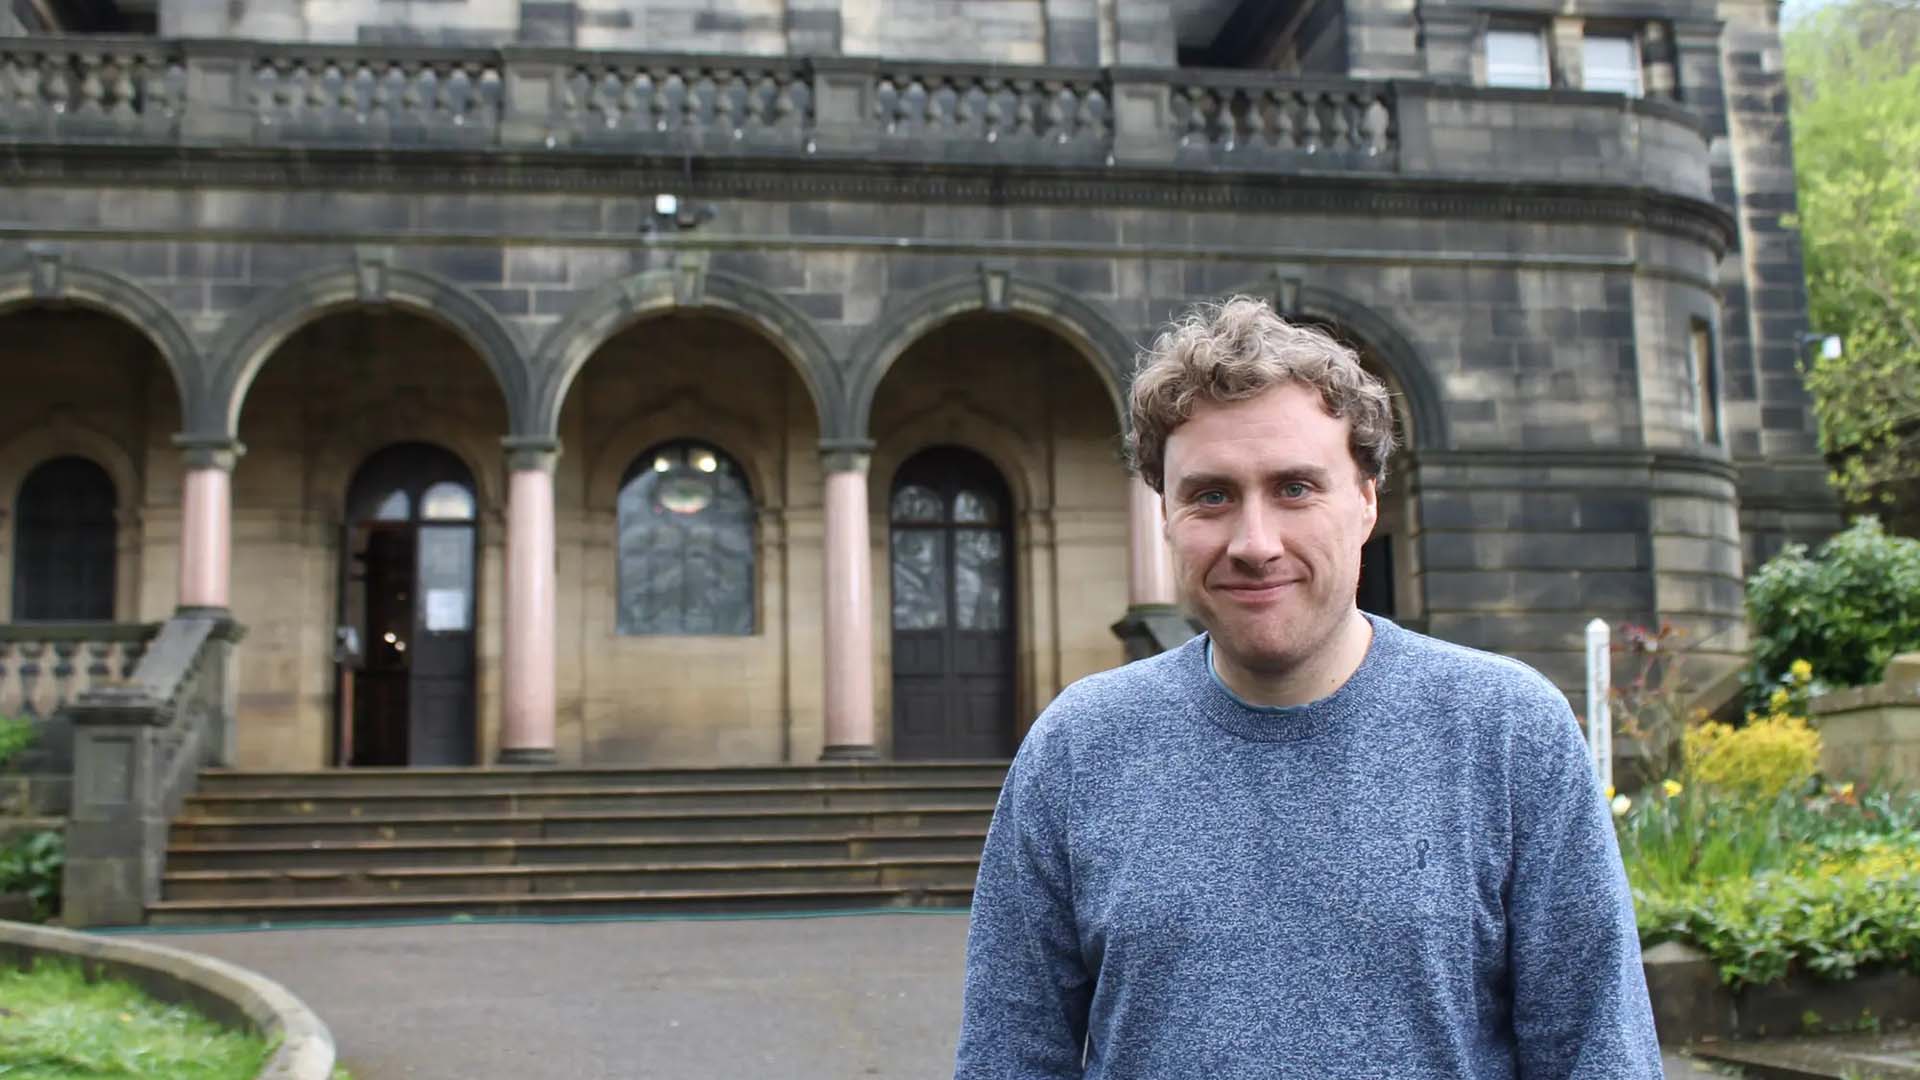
(220, 781)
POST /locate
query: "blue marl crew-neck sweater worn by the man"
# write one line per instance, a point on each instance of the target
(1410, 879)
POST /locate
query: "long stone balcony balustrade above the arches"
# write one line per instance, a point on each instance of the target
(531, 101)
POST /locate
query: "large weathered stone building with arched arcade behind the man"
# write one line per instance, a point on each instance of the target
(736, 381)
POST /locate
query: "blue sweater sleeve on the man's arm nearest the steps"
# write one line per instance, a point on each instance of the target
(1028, 989)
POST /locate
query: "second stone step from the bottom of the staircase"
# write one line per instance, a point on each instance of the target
(494, 883)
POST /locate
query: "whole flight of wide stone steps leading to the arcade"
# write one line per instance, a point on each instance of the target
(487, 843)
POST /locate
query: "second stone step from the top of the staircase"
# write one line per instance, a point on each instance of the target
(512, 800)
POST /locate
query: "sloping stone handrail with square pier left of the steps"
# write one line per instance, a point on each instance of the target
(139, 749)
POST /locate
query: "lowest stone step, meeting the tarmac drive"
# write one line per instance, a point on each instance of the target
(581, 904)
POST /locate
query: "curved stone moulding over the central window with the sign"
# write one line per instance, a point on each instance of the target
(683, 416)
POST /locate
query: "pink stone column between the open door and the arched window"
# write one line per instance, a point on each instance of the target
(529, 614)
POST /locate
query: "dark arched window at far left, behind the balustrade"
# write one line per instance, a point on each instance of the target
(64, 541)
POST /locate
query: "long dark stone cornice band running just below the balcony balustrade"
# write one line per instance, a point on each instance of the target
(1364, 195)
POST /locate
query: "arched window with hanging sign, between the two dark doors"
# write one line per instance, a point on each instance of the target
(686, 543)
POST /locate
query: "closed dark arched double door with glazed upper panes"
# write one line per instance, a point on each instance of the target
(953, 608)
